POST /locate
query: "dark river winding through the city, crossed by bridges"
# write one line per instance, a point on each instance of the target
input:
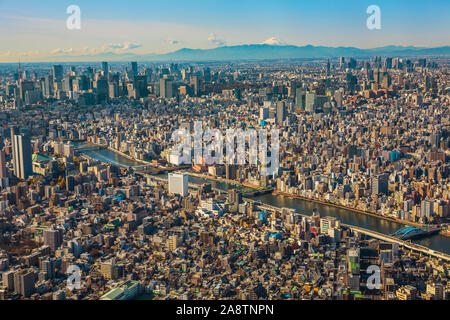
(436, 242)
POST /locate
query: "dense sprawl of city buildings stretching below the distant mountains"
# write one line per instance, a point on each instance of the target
(90, 181)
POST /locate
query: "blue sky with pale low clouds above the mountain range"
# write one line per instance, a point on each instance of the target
(36, 30)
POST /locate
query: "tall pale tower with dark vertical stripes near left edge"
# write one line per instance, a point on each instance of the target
(22, 156)
